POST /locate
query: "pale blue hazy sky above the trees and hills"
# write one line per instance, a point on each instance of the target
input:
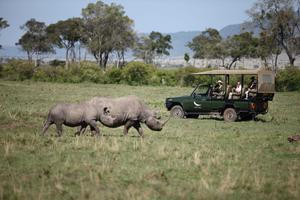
(149, 15)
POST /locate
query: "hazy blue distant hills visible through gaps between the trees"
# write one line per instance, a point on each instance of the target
(179, 42)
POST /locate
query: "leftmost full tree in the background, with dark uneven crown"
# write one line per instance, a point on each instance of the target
(35, 41)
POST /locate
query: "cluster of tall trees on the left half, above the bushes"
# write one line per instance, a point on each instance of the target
(103, 29)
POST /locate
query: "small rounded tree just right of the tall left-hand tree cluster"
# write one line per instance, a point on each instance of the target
(149, 47)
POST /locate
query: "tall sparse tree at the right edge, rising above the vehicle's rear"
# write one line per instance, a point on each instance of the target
(280, 19)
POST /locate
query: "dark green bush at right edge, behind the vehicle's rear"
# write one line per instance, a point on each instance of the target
(288, 79)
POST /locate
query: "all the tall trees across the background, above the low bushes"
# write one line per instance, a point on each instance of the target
(107, 32)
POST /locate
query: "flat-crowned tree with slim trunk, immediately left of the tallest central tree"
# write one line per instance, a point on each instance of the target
(65, 34)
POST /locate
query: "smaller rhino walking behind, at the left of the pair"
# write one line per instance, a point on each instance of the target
(82, 114)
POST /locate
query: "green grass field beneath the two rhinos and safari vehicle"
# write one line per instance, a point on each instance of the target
(190, 159)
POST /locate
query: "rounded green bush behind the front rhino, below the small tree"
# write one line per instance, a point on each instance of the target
(138, 73)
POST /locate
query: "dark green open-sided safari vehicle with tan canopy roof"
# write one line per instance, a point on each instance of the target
(203, 100)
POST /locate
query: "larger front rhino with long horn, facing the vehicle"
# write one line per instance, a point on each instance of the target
(129, 112)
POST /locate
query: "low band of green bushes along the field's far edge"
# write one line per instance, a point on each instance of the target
(133, 73)
